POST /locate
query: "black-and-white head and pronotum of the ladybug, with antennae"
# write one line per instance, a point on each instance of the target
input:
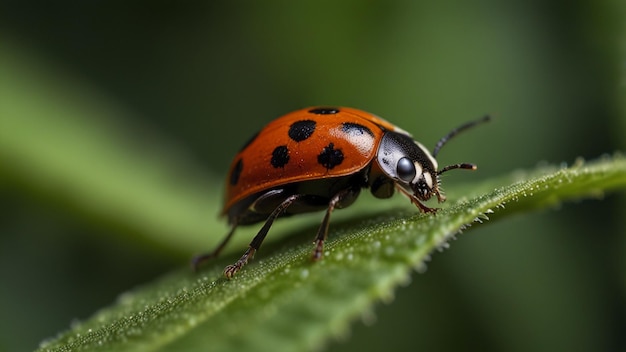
(412, 168)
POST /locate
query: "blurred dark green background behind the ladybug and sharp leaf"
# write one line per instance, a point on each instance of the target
(118, 122)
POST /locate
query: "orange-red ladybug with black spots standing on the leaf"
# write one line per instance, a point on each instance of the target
(320, 158)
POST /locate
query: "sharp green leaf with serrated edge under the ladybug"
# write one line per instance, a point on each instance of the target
(282, 301)
